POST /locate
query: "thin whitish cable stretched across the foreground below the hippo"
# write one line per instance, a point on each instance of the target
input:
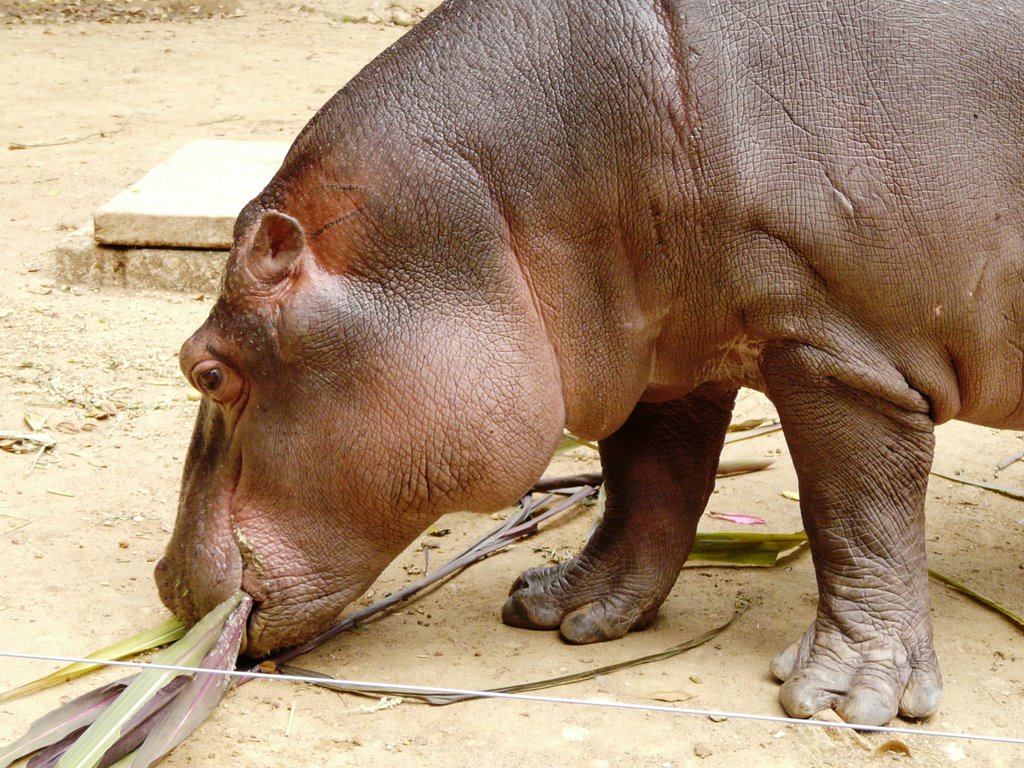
(385, 690)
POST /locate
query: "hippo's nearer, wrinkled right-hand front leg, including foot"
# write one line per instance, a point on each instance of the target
(863, 450)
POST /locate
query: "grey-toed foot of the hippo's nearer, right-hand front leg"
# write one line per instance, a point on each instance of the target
(868, 681)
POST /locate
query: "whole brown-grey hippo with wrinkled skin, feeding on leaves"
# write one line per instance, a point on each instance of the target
(609, 217)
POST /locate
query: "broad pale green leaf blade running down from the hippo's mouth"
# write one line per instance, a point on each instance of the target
(189, 652)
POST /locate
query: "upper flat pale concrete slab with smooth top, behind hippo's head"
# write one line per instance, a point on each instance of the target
(192, 199)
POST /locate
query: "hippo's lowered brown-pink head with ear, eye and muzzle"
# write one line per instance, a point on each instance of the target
(362, 374)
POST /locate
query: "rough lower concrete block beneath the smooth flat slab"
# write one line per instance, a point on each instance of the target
(81, 261)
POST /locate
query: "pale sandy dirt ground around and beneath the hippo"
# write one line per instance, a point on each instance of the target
(82, 526)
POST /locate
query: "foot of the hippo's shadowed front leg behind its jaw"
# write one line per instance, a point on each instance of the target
(587, 605)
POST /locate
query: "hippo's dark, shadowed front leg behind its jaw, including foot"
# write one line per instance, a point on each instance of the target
(659, 473)
